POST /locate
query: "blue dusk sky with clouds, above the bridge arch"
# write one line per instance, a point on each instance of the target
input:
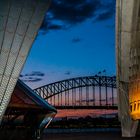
(77, 38)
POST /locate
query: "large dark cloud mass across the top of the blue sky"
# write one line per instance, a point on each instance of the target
(66, 13)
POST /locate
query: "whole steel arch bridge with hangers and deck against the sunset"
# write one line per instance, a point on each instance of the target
(91, 92)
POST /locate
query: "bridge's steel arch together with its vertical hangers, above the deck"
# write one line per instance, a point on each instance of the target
(64, 86)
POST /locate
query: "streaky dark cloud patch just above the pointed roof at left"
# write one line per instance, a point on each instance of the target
(34, 76)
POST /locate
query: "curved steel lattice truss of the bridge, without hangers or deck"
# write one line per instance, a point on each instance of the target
(52, 89)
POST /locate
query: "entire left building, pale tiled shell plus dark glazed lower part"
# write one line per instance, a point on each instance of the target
(23, 114)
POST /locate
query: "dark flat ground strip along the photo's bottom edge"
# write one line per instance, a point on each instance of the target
(87, 136)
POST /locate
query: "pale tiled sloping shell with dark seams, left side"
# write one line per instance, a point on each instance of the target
(20, 21)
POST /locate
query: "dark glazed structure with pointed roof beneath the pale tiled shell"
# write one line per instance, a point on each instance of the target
(26, 116)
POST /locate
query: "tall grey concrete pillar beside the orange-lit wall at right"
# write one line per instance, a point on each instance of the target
(127, 25)
